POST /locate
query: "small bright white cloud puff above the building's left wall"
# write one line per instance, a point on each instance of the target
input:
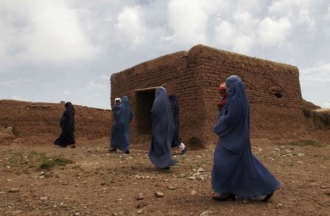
(130, 25)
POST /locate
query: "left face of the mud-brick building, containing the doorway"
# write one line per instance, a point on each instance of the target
(180, 78)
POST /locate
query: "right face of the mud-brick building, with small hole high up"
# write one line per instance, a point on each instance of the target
(273, 90)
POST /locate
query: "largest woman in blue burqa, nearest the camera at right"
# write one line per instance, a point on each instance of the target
(236, 171)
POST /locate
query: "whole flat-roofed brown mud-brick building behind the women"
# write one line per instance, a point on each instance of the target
(273, 91)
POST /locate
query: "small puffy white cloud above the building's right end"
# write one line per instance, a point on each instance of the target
(272, 32)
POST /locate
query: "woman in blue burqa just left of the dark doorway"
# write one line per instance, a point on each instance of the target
(120, 131)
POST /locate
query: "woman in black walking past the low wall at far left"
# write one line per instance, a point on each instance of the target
(67, 123)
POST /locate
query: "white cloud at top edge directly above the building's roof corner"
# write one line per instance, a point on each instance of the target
(189, 20)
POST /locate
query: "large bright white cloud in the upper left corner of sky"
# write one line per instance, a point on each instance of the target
(47, 31)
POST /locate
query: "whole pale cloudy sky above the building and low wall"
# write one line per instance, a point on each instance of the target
(53, 50)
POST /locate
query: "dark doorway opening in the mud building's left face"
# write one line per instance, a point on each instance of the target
(144, 100)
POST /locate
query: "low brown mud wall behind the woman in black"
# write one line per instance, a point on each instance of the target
(28, 119)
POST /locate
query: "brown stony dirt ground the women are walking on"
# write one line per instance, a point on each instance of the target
(47, 180)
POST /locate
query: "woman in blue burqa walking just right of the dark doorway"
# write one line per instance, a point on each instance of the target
(160, 153)
